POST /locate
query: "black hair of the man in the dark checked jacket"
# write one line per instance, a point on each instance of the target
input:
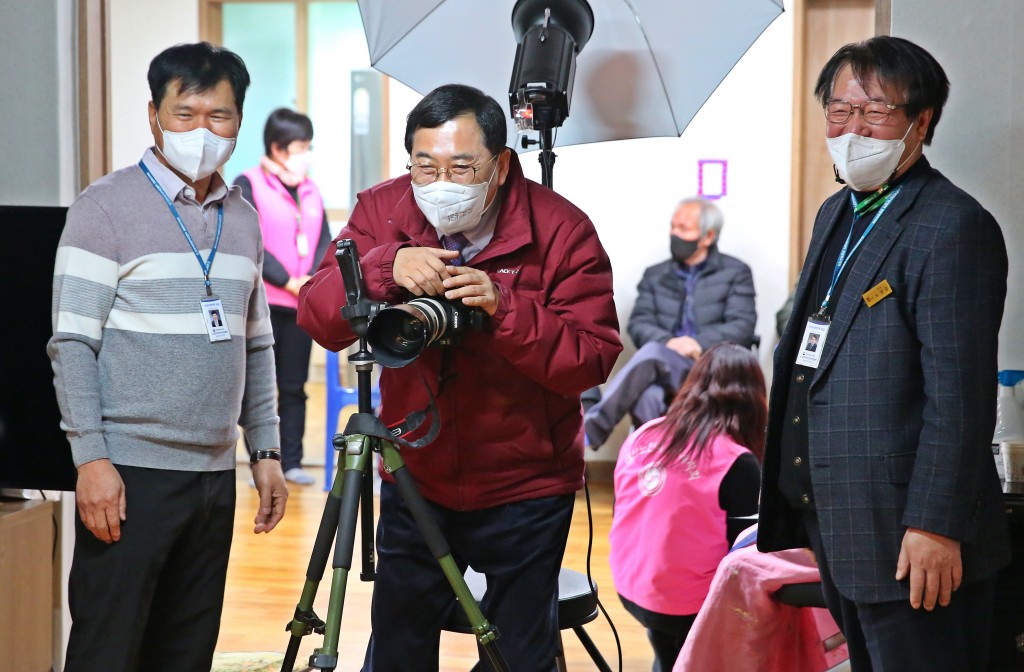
(899, 64)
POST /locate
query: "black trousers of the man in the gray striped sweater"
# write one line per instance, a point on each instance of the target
(152, 602)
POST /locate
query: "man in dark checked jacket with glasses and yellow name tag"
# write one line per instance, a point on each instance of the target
(878, 452)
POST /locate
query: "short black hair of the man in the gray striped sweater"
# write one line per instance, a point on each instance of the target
(198, 67)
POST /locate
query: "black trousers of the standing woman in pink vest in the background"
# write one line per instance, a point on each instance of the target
(291, 354)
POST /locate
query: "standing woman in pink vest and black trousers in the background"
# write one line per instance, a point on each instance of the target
(295, 237)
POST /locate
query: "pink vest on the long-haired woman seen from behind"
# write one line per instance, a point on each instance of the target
(668, 534)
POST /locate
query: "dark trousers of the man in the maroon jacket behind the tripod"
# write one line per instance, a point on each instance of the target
(519, 548)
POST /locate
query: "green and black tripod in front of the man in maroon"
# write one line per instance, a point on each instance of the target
(364, 436)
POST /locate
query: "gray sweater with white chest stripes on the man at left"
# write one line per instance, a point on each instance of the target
(137, 377)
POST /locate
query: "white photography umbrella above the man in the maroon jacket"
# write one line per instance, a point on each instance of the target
(647, 69)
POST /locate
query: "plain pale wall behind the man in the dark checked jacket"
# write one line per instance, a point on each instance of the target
(979, 140)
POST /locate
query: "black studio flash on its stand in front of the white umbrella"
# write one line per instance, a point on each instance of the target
(549, 34)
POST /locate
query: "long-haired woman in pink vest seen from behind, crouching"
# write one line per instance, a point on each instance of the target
(682, 482)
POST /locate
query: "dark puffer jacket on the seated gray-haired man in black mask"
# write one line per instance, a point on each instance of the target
(723, 303)
